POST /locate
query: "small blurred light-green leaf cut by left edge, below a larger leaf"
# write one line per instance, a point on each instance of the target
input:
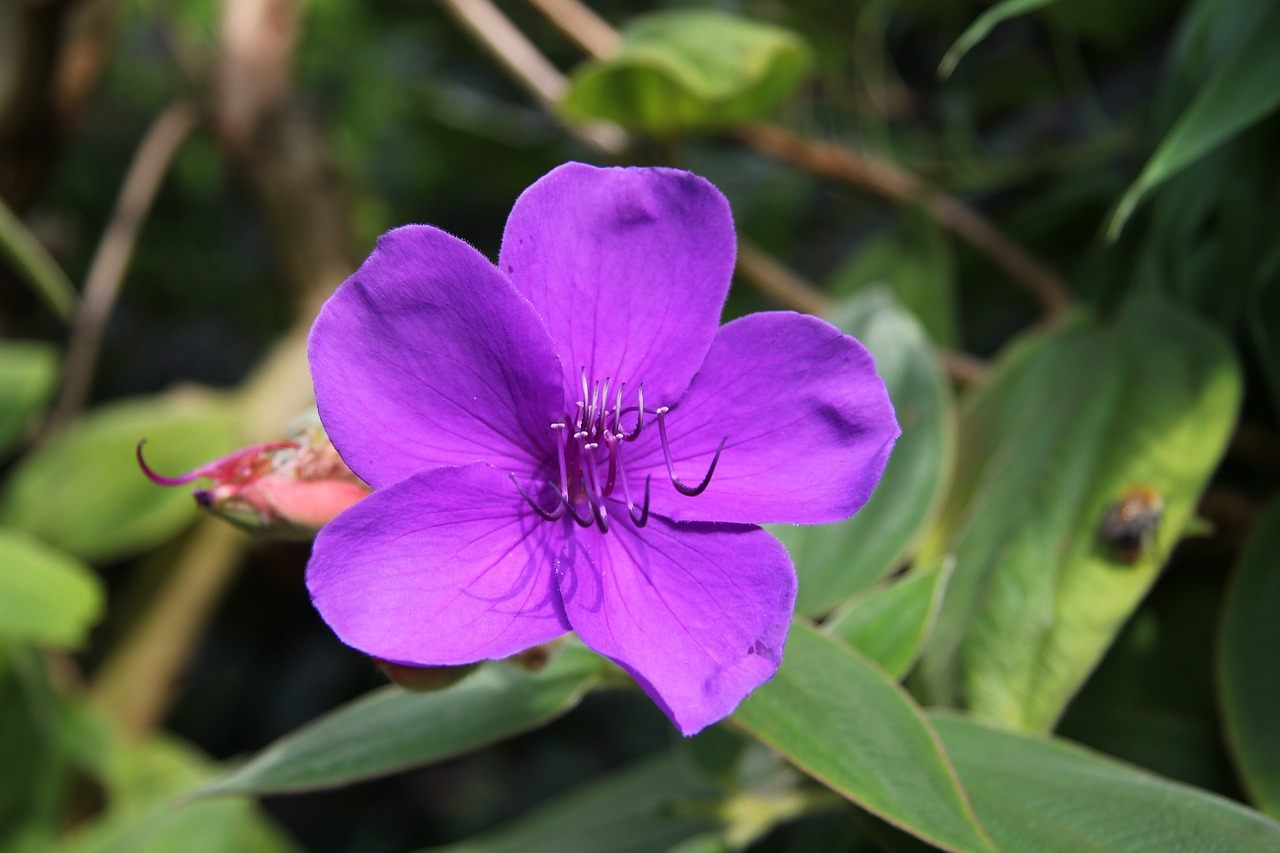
(47, 597)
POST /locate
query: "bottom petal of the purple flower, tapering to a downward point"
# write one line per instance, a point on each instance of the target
(697, 614)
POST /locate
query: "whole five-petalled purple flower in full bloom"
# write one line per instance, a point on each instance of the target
(570, 441)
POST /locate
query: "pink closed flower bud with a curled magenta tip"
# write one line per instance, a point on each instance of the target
(284, 489)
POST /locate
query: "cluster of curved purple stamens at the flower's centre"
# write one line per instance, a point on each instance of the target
(589, 454)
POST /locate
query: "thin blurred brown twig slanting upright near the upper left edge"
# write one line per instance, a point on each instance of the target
(112, 259)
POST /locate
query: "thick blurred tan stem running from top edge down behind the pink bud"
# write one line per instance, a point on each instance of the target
(281, 156)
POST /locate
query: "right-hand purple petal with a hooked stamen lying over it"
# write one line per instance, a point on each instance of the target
(810, 427)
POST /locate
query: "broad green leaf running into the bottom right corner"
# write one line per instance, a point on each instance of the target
(1049, 796)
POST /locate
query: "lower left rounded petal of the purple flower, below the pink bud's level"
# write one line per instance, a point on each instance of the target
(449, 567)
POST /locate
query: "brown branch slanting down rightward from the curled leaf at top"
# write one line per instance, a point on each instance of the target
(894, 183)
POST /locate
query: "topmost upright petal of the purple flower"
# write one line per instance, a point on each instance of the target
(629, 268)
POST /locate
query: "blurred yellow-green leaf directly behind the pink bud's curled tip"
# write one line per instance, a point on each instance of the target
(84, 492)
